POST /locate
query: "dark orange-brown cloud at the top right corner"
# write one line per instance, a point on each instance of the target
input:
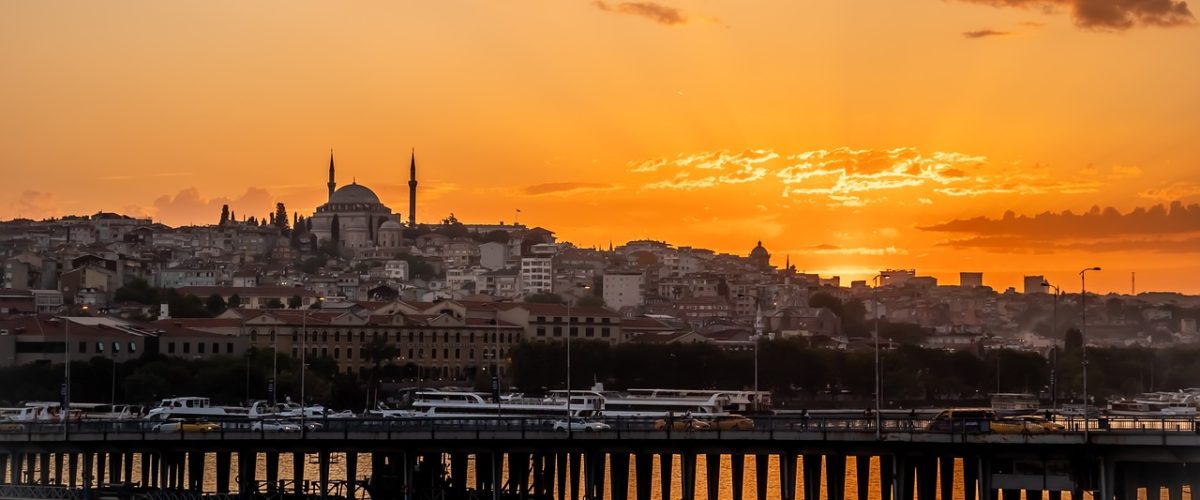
(1109, 15)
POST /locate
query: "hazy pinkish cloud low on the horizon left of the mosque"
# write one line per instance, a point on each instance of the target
(189, 208)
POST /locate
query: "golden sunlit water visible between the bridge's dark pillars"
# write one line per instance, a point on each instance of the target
(338, 472)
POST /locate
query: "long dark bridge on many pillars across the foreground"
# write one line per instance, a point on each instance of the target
(518, 459)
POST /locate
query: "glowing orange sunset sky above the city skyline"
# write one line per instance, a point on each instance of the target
(1006, 137)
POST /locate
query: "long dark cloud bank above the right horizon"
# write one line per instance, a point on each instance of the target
(1096, 224)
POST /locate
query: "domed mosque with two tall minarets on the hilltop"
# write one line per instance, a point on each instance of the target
(356, 220)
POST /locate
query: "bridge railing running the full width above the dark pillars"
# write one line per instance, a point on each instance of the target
(244, 429)
